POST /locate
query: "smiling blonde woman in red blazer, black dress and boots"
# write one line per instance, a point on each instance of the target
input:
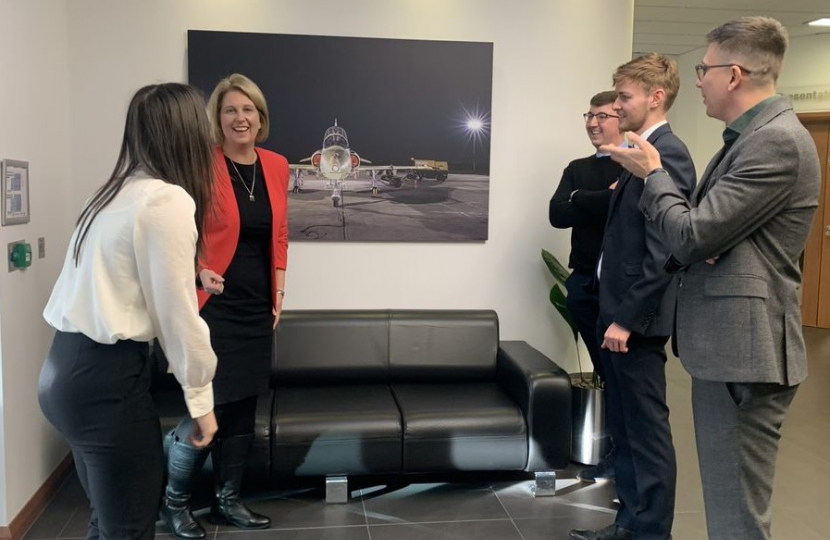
(241, 287)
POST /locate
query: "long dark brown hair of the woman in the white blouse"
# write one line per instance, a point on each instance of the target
(166, 136)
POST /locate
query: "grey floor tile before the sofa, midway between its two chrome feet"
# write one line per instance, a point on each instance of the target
(432, 502)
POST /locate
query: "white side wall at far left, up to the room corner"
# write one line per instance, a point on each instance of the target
(35, 128)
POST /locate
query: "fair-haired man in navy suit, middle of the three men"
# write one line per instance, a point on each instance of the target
(637, 301)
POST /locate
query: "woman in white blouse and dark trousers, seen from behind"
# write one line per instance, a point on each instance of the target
(126, 280)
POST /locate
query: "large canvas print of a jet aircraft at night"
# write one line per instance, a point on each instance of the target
(417, 111)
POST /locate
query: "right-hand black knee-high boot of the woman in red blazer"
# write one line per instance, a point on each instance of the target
(229, 457)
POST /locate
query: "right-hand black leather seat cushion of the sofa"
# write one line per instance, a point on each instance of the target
(460, 427)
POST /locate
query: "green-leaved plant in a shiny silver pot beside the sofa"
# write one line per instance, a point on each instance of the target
(589, 441)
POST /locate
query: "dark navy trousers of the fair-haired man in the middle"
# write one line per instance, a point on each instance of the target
(638, 420)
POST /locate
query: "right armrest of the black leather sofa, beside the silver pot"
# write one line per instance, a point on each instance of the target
(542, 390)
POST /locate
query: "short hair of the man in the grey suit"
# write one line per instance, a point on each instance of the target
(762, 41)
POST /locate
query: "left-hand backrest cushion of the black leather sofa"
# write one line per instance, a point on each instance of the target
(331, 347)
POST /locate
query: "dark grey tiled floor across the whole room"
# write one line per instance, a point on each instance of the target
(504, 509)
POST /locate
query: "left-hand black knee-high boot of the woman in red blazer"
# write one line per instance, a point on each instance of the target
(183, 464)
